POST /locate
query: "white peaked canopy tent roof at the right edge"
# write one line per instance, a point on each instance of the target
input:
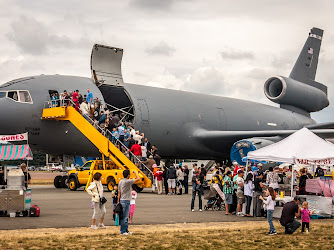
(302, 148)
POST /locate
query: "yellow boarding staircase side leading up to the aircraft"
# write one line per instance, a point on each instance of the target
(106, 147)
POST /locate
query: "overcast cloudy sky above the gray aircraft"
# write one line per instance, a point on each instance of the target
(227, 48)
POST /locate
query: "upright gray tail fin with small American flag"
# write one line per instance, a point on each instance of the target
(306, 65)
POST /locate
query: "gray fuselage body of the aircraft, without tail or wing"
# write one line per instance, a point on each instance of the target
(169, 118)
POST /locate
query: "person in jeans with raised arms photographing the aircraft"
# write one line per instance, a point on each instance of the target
(124, 197)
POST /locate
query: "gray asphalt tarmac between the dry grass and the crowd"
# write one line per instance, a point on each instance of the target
(61, 208)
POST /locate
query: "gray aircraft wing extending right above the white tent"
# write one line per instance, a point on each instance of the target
(238, 135)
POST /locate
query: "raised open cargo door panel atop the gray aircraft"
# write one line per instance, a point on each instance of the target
(105, 64)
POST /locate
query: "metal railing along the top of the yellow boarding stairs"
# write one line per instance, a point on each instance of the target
(105, 132)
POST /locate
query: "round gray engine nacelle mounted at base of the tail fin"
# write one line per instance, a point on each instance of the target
(310, 97)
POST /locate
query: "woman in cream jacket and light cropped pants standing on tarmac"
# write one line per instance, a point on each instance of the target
(95, 190)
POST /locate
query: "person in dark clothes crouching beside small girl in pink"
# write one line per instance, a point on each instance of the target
(289, 212)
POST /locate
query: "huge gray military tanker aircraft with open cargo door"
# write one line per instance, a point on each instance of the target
(182, 124)
